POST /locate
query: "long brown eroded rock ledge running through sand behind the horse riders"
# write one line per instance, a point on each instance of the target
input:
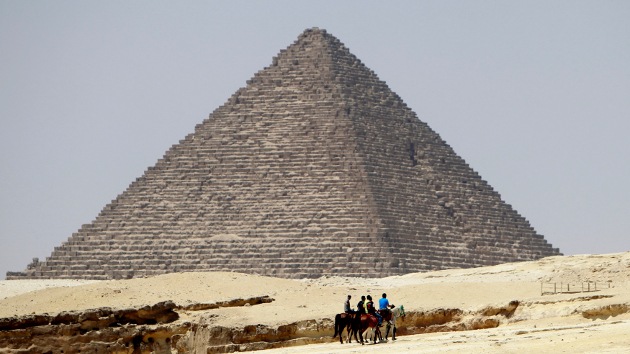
(156, 329)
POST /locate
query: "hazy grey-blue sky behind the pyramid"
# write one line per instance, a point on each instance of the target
(534, 95)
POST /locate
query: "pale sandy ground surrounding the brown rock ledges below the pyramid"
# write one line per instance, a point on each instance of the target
(542, 323)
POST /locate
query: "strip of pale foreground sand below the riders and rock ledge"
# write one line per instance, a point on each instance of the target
(596, 337)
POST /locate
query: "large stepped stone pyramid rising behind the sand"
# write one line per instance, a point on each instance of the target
(314, 168)
